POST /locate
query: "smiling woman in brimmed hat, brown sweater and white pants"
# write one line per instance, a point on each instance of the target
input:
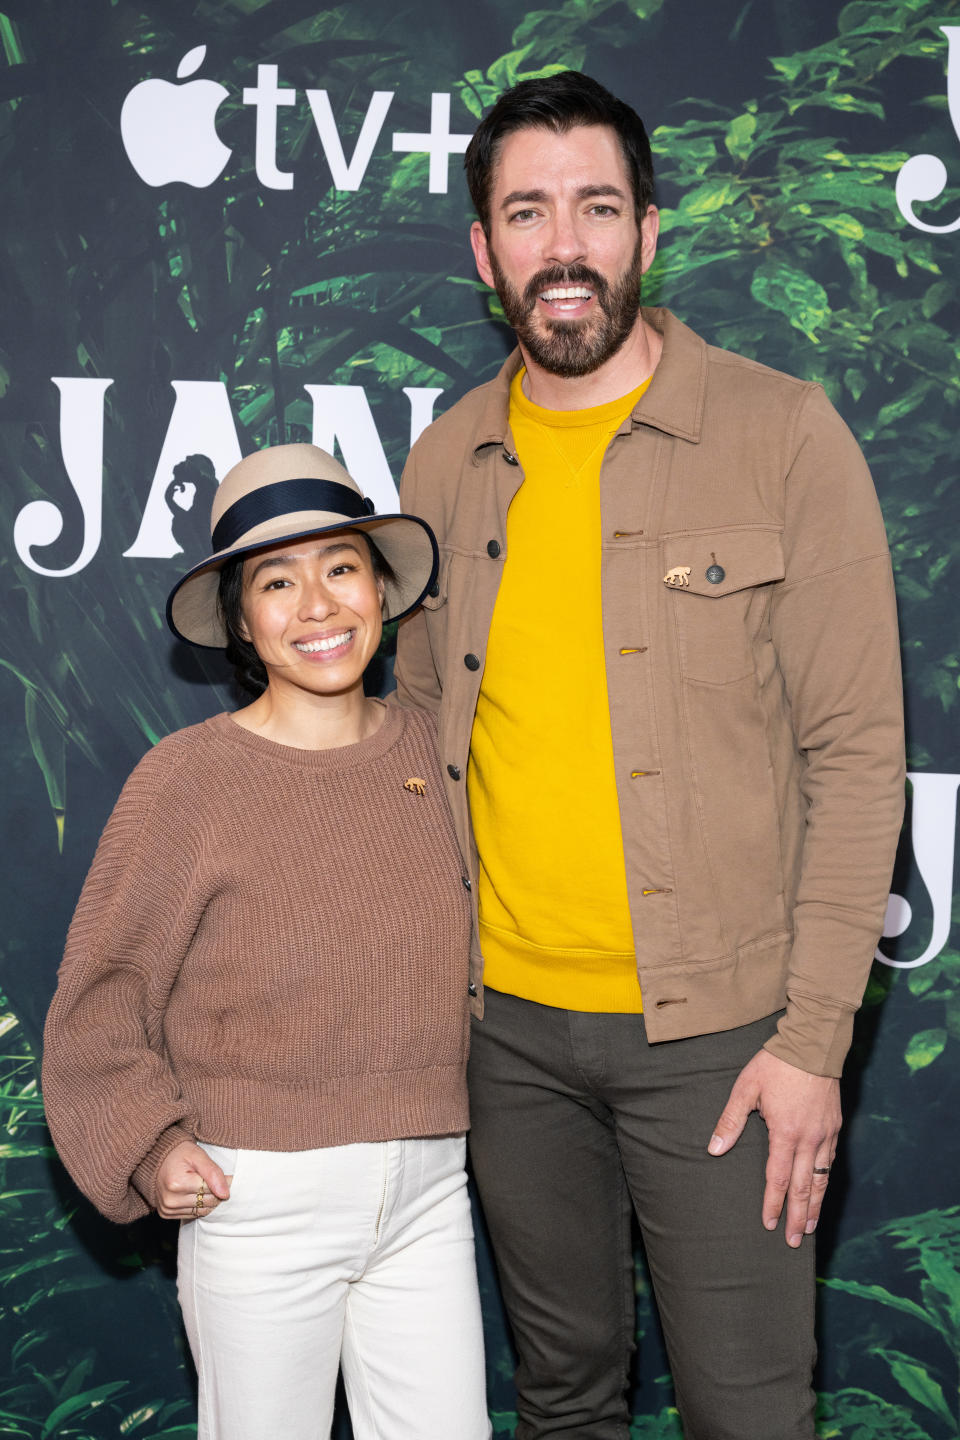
(261, 1020)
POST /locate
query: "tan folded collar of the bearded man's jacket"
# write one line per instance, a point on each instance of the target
(673, 402)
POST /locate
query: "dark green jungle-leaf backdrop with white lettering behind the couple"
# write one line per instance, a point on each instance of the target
(232, 224)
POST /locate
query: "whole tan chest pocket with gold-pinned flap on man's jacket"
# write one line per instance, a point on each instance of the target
(717, 591)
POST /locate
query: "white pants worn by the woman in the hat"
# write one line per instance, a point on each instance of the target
(355, 1256)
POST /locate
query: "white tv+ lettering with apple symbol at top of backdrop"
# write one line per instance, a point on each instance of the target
(169, 132)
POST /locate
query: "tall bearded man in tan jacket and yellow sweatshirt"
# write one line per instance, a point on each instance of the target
(664, 654)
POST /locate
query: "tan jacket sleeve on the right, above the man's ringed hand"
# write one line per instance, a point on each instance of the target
(834, 627)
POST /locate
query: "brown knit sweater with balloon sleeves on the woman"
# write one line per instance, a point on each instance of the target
(270, 953)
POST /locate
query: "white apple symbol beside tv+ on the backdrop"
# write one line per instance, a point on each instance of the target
(169, 130)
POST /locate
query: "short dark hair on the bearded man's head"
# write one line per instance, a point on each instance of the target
(558, 103)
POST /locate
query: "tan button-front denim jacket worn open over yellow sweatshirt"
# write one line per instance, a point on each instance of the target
(753, 672)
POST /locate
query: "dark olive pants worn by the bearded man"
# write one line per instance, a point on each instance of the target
(575, 1118)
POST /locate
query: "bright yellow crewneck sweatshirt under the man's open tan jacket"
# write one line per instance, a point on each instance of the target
(553, 905)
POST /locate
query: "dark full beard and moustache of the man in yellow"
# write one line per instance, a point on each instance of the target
(572, 348)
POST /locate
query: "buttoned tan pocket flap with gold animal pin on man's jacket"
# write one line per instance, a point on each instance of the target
(720, 562)
